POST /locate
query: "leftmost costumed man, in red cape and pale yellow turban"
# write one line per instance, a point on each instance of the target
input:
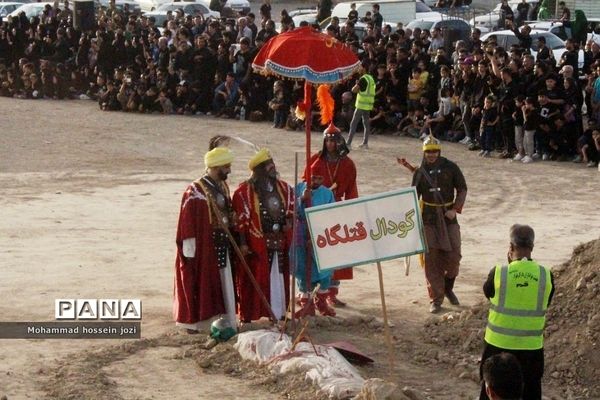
(203, 277)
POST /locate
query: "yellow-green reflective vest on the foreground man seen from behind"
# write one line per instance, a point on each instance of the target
(518, 309)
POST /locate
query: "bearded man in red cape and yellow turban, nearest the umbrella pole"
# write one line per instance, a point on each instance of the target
(263, 208)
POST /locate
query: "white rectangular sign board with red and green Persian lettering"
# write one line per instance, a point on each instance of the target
(365, 230)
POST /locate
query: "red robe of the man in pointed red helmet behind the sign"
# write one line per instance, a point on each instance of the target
(341, 179)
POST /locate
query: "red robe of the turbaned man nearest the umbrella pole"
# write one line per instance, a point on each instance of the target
(246, 207)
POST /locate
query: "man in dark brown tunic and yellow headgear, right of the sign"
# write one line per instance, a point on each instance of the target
(442, 188)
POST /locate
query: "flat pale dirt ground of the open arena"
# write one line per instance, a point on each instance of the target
(89, 204)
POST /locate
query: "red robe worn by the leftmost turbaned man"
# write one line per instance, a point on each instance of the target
(197, 292)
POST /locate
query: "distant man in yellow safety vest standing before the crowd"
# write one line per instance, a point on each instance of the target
(365, 98)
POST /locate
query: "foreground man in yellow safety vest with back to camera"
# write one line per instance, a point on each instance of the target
(520, 294)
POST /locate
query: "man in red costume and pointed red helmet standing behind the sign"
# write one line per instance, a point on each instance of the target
(340, 177)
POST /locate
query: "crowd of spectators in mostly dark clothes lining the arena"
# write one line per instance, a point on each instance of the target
(489, 98)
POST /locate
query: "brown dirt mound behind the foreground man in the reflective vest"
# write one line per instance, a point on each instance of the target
(572, 354)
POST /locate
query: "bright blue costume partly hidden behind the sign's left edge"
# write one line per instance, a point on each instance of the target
(321, 195)
